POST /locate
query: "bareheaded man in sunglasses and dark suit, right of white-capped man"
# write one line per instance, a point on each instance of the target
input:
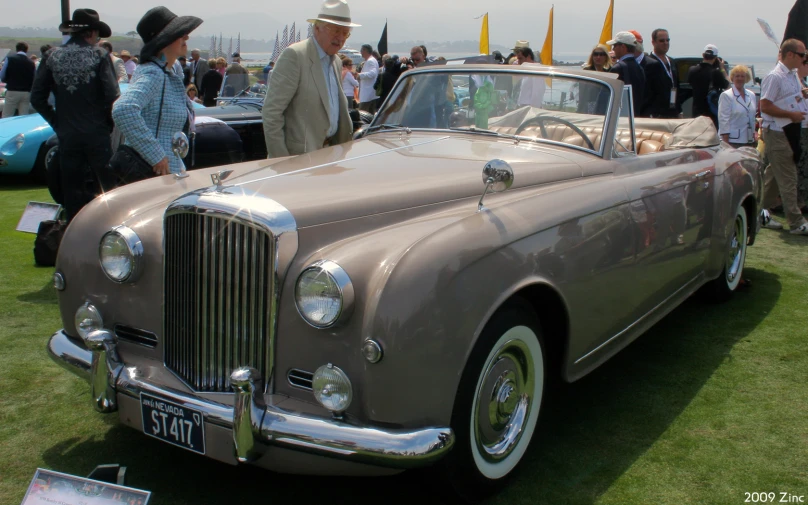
(661, 86)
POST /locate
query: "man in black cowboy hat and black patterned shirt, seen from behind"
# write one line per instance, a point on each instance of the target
(82, 79)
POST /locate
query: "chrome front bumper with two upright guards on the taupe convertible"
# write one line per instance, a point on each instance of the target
(254, 425)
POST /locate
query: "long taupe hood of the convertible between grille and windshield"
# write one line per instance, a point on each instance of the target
(382, 173)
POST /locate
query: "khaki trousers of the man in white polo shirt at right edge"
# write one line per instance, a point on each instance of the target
(781, 174)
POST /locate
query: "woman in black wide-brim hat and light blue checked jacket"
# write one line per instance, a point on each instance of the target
(154, 107)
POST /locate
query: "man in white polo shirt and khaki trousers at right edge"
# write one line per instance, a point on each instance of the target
(783, 108)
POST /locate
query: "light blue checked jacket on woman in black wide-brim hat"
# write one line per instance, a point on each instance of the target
(136, 112)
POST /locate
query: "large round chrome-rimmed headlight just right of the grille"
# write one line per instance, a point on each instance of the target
(324, 294)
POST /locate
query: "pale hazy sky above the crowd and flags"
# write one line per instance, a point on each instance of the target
(730, 25)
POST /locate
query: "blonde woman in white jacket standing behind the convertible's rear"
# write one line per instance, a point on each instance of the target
(736, 110)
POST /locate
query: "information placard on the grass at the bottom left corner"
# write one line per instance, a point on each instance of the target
(59, 488)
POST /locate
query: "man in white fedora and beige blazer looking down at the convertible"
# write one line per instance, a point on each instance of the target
(305, 108)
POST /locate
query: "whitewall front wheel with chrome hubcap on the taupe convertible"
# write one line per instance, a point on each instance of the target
(498, 402)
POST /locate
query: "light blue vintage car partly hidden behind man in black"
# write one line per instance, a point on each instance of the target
(23, 148)
